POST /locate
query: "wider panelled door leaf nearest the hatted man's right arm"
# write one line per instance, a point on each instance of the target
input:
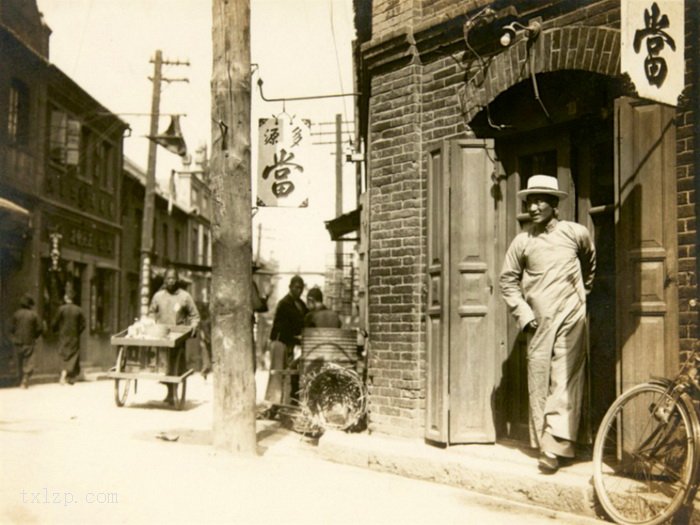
(473, 302)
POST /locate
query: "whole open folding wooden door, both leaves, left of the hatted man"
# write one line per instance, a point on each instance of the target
(466, 319)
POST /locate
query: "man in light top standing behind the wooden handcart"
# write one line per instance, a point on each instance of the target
(173, 305)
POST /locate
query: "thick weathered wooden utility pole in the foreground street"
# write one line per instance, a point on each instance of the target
(232, 331)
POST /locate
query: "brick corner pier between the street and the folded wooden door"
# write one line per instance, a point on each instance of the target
(396, 256)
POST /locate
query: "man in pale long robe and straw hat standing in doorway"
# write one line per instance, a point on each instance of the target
(547, 273)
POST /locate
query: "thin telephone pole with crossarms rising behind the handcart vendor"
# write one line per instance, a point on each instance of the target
(150, 194)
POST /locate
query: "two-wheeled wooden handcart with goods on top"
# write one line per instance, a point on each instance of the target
(146, 357)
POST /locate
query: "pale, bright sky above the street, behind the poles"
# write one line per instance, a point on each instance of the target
(301, 48)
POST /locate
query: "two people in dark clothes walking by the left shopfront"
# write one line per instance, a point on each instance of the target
(26, 327)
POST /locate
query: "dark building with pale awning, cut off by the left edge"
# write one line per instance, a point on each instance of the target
(24, 41)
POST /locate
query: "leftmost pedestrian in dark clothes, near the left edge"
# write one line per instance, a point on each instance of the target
(25, 328)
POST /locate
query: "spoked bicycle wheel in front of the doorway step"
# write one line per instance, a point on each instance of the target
(644, 455)
